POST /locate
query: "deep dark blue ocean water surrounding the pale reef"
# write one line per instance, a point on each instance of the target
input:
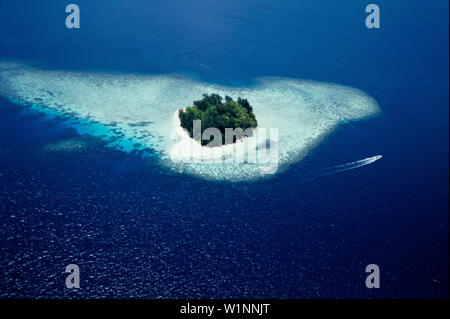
(138, 230)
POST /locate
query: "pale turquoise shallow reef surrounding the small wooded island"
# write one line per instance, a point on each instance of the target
(137, 109)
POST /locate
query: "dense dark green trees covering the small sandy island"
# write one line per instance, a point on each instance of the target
(214, 112)
